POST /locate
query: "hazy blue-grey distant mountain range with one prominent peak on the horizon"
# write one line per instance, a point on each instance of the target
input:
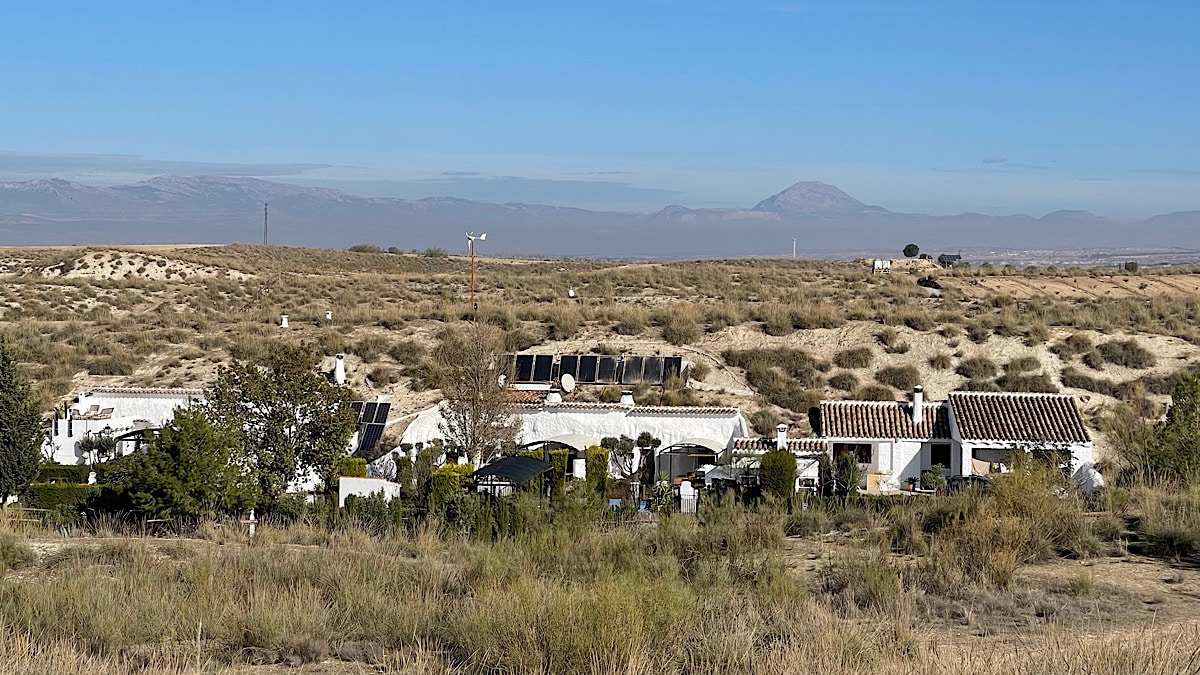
(824, 219)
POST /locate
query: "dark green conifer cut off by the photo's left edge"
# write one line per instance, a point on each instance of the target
(21, 428)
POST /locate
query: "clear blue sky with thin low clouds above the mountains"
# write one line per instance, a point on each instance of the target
(937, 107)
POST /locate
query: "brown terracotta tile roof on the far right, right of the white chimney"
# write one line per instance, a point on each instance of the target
(983, 416)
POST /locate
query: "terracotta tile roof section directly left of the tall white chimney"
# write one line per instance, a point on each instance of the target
(883, 420)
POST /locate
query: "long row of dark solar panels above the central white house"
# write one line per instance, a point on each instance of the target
(592, 369)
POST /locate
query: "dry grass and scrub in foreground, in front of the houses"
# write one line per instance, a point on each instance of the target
(847, 586)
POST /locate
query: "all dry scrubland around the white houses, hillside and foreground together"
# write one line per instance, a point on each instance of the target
(1027, 577)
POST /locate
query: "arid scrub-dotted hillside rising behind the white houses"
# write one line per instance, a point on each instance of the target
(770, 336)
